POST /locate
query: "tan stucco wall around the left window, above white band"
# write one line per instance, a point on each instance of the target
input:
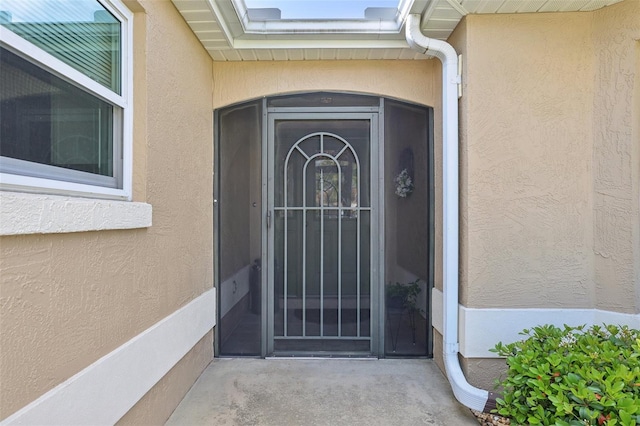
(68, 299)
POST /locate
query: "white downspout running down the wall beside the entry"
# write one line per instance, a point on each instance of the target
(472, 397)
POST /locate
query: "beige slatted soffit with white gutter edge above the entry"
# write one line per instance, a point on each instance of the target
(227, 37)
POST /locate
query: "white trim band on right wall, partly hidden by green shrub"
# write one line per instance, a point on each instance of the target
(481, 329)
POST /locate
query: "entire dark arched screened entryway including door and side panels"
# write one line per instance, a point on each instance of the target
(312, 231)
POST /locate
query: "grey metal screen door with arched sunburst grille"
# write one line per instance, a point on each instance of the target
(320, 217)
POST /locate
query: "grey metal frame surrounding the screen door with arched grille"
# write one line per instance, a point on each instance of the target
(372, 114)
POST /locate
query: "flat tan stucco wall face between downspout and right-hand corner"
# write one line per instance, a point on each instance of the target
(526, 219)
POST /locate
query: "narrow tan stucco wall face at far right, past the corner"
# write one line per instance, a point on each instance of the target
(616, 157)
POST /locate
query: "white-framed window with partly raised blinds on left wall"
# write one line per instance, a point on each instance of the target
(65, 96)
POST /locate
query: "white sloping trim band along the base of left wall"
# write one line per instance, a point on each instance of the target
(107, 389)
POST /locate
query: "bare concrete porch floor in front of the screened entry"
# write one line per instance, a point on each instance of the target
(321, 392)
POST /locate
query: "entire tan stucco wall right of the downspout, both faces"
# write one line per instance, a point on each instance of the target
(549, 166)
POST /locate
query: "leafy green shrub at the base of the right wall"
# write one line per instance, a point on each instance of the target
(572, 376)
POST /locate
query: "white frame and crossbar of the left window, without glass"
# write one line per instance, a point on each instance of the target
(49, 185)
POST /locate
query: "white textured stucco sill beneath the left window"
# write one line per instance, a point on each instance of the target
(23, 213)
